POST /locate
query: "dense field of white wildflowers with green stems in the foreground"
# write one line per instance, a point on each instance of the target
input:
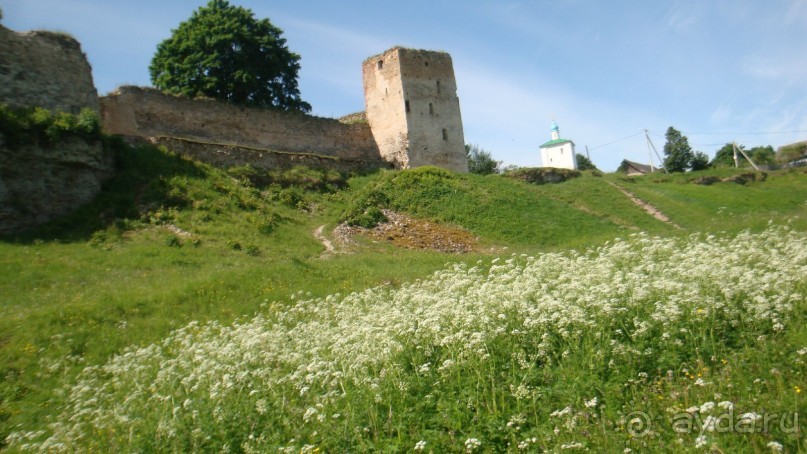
(564, 351)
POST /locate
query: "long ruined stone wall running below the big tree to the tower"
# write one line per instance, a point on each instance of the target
(146, 112)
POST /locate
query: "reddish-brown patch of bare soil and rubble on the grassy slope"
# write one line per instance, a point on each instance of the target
(406, 232)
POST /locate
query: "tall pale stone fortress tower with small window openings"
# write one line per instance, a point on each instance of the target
(413, 110)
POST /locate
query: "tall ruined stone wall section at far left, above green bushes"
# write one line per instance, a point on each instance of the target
(45, 69)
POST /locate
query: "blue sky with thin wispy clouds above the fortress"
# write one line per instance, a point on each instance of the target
(719, 71)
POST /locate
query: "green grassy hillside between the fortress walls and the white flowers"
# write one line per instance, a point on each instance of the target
(170, 241)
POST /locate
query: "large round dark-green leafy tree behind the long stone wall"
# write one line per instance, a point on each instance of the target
(223, 52)
